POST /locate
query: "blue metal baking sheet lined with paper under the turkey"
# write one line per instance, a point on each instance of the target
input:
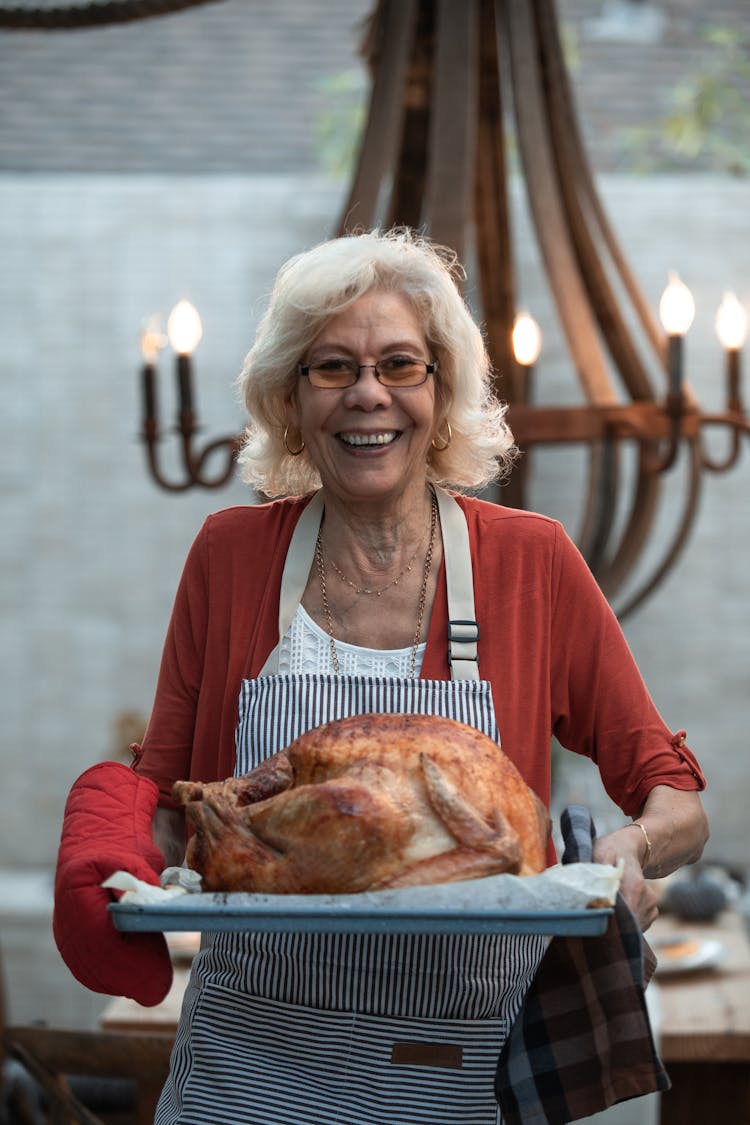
(324, 915)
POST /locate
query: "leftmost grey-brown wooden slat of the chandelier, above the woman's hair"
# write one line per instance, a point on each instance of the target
(395, 23)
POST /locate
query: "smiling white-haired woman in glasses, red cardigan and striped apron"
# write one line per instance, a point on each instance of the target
(371, 587)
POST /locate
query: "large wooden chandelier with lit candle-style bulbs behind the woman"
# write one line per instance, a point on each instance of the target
(451, 83)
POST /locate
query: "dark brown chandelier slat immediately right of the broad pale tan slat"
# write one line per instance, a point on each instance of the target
(577, 193)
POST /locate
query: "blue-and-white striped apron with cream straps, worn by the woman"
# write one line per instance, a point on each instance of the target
(350, 1029)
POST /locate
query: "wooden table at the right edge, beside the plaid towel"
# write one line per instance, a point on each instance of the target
(706, 1028)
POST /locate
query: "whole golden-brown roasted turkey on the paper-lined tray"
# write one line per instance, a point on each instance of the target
(365, 804)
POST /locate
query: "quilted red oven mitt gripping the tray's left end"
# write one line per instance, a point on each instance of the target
(107, 829)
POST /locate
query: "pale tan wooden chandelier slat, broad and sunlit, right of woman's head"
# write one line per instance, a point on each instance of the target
(544, 191)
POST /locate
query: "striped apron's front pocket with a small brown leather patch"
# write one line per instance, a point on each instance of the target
(265, 1063)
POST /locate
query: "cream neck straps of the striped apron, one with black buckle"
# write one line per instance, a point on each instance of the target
(463, 628)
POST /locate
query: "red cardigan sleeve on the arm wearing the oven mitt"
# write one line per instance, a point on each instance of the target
(167, 749)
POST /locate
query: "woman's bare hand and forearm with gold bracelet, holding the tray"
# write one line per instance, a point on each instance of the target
(674, 833)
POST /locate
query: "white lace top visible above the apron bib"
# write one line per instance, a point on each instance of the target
(306, 649)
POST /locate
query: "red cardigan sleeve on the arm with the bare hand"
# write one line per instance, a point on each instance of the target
(602, 707)
